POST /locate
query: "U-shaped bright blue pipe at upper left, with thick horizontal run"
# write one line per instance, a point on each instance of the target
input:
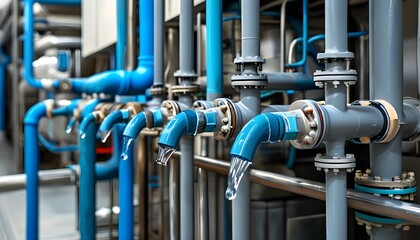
(110, 82)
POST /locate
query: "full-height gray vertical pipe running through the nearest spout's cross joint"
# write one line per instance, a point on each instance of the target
(336, 179)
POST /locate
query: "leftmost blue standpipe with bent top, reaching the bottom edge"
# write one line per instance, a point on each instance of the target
(31, 154)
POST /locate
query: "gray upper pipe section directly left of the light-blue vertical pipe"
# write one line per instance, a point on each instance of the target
(186, 41)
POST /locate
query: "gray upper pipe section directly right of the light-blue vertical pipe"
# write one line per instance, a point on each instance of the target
(250, 27)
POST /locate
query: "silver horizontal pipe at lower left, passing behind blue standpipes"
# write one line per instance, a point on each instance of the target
(15, 182)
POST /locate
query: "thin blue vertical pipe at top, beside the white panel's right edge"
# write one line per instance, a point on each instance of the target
(121, 45)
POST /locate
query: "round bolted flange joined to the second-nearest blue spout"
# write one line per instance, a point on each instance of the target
(229, 120)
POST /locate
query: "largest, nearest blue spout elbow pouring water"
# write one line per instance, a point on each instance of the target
(265, 127)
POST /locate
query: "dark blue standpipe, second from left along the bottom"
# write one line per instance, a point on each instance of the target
(87, 191)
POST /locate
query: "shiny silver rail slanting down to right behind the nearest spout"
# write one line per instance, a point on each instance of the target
(383, 206)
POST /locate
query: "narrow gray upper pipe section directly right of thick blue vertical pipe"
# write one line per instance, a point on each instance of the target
(158, 47)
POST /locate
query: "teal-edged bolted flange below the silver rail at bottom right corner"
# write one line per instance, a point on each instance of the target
(370, 221)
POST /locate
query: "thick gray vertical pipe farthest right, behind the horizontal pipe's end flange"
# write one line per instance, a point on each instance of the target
(386, 77)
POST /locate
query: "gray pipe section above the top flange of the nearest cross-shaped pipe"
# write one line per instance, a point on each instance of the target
(335, 26)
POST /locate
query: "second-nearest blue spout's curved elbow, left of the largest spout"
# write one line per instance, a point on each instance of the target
(184, 123)
